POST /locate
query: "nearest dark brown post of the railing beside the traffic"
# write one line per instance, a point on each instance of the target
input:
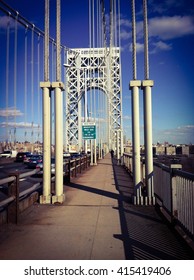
(13, 208)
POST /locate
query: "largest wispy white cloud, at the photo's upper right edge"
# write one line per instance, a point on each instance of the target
(167, 28)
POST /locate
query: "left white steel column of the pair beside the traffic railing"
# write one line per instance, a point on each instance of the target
(46, 197)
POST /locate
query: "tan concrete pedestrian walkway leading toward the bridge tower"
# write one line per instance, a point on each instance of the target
(96, 221)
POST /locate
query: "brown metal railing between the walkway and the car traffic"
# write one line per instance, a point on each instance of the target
(13, 195)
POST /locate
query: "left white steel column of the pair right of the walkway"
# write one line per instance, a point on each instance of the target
(134, 86)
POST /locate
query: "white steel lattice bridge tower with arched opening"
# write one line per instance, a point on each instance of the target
(94, 68)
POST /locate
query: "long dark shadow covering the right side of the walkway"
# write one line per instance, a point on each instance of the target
(145, 234)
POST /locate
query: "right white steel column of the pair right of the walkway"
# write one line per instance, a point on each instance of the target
(146, 85)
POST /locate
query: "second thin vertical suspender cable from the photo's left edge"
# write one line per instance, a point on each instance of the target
(15, 74)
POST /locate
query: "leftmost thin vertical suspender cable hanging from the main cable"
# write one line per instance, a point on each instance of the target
(7, 74)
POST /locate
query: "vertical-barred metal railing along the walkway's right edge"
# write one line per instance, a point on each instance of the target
(174, 193)
